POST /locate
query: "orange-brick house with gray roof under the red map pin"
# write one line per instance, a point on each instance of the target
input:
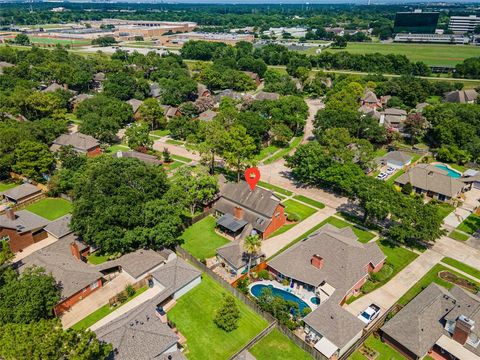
(241, 211)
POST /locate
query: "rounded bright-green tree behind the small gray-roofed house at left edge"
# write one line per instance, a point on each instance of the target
(32, 159)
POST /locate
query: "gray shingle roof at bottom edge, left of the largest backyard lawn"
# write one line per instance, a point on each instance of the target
(138, 334)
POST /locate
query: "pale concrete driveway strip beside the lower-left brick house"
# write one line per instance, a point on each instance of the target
(95, 300)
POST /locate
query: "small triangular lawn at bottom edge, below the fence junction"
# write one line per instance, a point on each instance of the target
(279, 347)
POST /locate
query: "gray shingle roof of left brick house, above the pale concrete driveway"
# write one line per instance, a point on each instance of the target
(71, 274)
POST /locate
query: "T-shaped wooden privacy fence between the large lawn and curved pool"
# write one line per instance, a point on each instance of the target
(254, 306)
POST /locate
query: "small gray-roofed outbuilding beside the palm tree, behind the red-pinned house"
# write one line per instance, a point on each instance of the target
(233, 257)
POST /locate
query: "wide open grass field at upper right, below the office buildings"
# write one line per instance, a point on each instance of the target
(430, 54)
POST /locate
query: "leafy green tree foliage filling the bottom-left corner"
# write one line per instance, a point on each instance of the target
(47, 340)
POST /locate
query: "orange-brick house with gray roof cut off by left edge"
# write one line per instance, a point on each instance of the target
(22, 228)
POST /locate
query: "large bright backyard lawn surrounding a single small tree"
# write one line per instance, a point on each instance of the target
(194, 313)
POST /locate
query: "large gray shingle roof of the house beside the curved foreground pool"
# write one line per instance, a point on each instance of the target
(345, 258)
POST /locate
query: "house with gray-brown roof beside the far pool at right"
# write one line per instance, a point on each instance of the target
(432, 181)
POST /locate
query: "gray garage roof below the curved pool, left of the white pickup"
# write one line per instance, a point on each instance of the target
(335, 323)
